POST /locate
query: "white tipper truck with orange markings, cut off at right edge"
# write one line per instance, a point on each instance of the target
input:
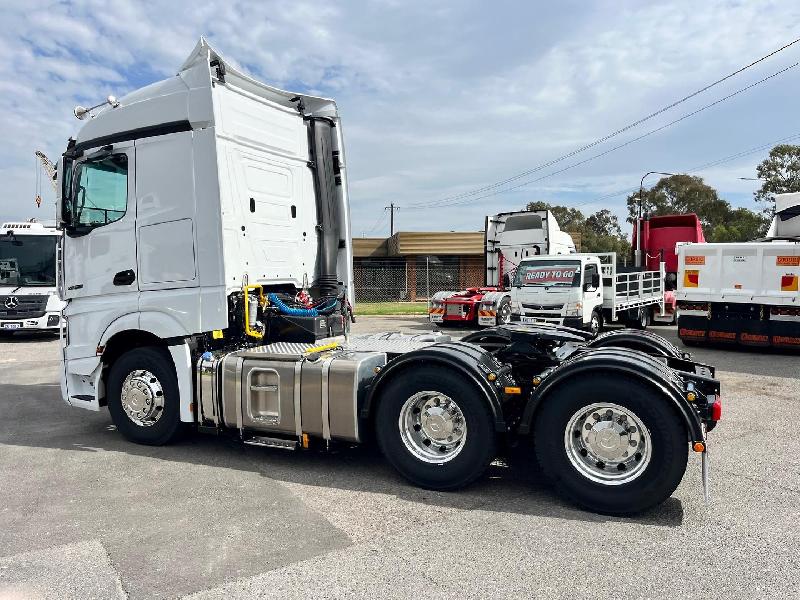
(744, 293)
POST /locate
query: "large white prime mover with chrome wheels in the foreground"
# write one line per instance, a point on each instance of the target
(208, 277)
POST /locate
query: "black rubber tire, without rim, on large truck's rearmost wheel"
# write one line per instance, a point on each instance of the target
(667, 433)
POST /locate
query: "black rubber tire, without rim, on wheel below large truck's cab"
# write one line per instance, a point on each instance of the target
(159, 363)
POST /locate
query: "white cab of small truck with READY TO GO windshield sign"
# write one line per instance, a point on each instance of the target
(564, 290)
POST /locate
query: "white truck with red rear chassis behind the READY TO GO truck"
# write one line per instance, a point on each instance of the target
(509, 238)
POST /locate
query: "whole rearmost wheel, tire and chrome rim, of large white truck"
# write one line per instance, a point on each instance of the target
(611, 445)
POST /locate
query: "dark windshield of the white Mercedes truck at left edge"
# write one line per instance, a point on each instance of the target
(28, 260)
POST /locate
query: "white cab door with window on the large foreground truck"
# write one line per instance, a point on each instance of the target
(100, 279)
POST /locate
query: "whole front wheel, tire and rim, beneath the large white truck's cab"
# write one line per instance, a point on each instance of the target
(143, 396)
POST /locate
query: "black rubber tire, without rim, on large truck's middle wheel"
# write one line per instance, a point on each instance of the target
(478, 450)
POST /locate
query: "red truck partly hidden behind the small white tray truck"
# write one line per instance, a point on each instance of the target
(659, 235)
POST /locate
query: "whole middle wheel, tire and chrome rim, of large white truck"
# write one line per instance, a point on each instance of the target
(435, 428)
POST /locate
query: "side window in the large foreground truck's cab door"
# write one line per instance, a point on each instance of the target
(100, 195)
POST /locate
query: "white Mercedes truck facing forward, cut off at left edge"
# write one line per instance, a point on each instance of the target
(28, 288)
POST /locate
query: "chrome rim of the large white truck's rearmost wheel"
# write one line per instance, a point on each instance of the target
(607, 443)
